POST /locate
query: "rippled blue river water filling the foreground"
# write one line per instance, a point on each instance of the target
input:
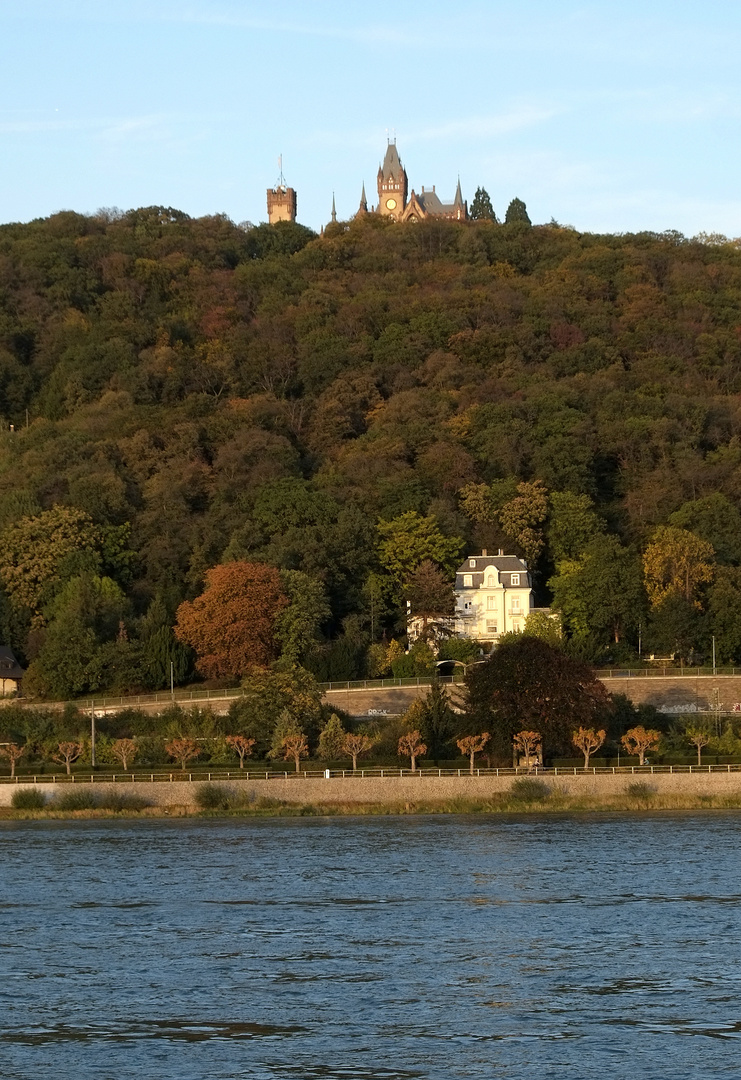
(372, 949)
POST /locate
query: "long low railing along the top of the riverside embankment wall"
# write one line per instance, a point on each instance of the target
(262, 775)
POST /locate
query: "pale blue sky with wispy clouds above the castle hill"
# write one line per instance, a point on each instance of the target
(612, 117)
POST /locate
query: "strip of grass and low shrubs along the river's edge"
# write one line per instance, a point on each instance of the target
(524, 799)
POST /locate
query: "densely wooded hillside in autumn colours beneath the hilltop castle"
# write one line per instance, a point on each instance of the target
(267, 395)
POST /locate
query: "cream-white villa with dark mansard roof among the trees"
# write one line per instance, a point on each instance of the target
(494, 597)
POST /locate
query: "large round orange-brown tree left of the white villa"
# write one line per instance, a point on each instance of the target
(232, 625)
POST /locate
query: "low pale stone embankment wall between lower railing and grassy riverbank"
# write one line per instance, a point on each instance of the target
(392, 790)
